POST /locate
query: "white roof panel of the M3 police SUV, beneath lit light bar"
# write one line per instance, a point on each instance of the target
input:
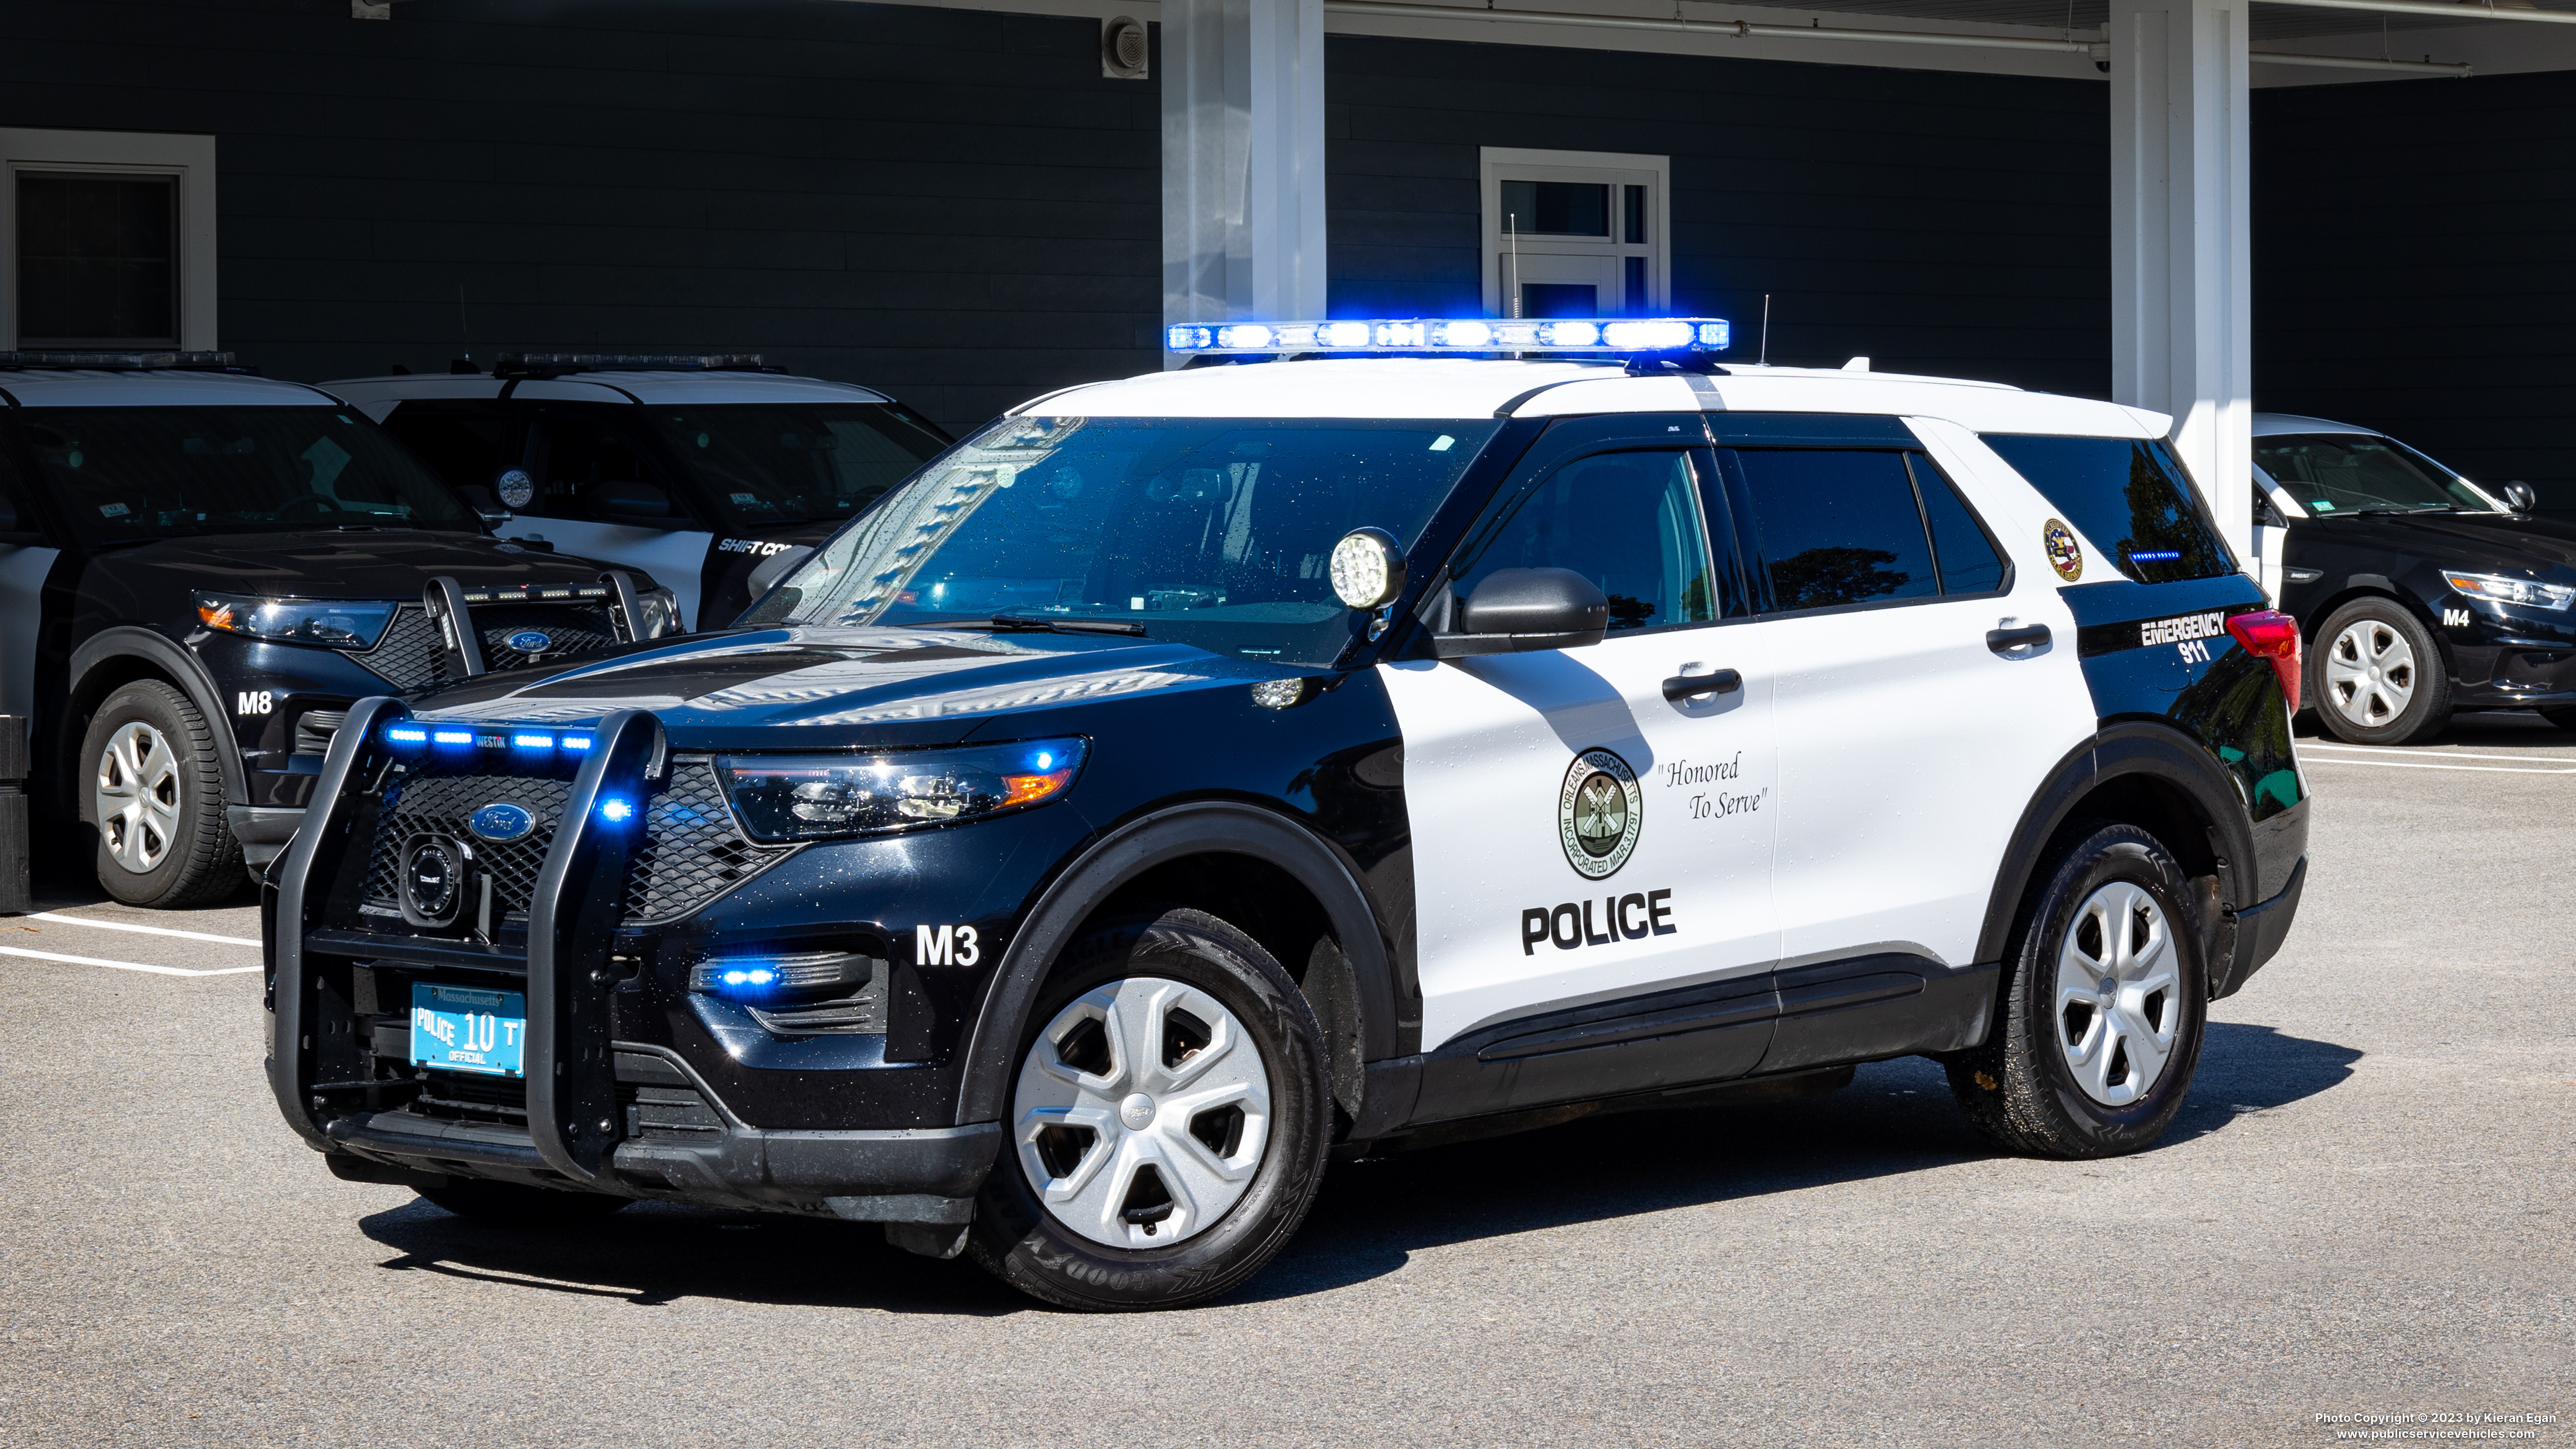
(1467, 388)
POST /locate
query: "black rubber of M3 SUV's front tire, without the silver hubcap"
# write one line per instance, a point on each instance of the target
(1027, 1247)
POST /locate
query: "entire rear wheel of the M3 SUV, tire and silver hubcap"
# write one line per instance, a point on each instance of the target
(2103, 1009)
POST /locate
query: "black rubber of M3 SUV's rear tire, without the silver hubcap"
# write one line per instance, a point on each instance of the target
(2018, 1089)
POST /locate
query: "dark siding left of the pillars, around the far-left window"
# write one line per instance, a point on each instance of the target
(952, 205)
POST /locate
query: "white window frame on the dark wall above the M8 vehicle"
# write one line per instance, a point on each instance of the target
(120, 153)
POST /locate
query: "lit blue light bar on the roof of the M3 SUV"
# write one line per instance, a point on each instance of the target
(1604, 336)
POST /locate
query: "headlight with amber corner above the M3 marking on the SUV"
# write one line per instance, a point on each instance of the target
(810, 798)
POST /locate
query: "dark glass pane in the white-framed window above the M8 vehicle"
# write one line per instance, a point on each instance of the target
(97, 259)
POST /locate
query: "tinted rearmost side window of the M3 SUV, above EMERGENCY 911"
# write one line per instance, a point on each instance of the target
(2129, 496)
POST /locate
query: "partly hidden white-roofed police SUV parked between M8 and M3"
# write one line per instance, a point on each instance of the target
(712, 473)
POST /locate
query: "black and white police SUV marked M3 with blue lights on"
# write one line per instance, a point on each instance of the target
(1194, 775)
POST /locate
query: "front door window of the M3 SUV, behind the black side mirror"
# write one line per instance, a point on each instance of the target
(1627, 522)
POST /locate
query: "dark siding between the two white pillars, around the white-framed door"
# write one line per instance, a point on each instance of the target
(1931, 220)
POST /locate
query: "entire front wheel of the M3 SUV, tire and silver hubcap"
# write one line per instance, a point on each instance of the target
(1168, 1123)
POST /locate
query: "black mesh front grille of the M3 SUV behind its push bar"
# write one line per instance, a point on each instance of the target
(692, 852)
